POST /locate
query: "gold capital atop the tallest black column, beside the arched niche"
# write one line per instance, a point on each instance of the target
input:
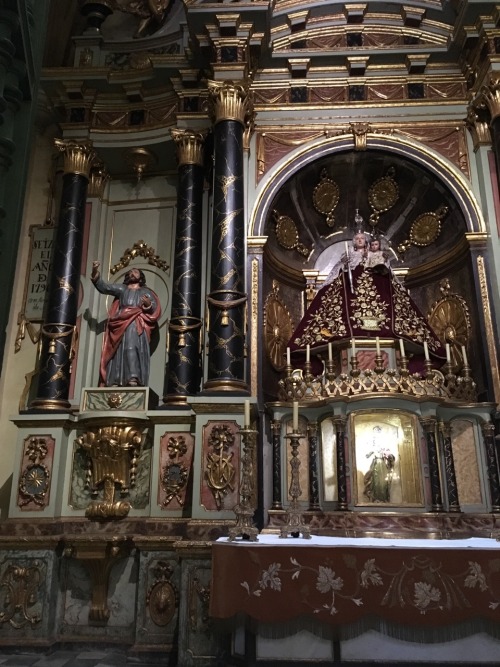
(230, 101)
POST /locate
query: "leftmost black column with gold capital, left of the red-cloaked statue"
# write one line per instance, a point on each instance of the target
(58, 330)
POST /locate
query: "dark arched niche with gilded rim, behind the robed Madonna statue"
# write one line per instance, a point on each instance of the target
(426, 183)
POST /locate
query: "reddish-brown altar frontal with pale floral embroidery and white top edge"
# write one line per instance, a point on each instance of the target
(338, 581)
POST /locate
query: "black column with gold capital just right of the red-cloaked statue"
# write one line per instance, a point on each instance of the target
(184, 339)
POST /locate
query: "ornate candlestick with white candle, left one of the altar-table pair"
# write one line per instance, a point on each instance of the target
(245, 527)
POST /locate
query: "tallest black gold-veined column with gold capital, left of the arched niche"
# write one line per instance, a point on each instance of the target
(231, 111)
